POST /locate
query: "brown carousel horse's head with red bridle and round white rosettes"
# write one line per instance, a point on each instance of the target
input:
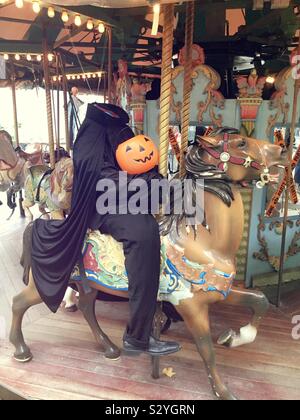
(242, 158)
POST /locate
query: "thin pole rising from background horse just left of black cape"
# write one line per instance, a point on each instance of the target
(48, 99)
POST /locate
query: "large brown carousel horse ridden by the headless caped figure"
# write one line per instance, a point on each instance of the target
(198, 265)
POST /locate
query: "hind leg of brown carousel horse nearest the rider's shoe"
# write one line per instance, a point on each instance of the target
(87, 307)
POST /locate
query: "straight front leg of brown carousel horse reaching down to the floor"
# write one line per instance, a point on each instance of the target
(195, 313)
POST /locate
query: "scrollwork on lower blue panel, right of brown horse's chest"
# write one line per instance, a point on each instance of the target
(264, 255)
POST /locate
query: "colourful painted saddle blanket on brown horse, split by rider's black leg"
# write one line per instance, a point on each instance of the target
(104, 264)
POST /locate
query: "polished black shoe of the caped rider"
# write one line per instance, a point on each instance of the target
(156, 348)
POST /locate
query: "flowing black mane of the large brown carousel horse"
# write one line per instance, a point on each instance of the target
(215, 182)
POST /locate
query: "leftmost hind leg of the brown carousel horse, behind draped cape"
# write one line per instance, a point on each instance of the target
(21, 303)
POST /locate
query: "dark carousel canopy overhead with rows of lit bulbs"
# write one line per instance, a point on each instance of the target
(235, 34)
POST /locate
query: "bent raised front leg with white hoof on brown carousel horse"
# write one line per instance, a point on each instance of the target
(259, 304)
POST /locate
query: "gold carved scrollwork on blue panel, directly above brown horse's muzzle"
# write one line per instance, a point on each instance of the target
(279, 101)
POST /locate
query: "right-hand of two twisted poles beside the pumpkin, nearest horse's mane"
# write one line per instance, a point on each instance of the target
(187, 86)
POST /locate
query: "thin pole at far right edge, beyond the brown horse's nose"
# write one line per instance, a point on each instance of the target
(288, 186)
